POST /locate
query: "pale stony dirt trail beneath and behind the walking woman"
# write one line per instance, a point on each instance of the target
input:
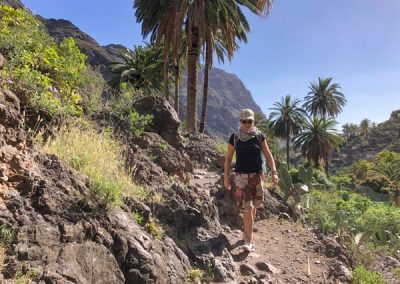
(287, 249)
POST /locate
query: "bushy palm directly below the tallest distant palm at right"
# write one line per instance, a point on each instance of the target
(318, 140)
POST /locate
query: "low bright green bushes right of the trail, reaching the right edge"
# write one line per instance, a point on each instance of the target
(342, 212)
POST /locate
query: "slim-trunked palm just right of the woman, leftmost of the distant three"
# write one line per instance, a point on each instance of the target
(287, 119)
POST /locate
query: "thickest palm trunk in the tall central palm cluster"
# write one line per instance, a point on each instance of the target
(193, 58)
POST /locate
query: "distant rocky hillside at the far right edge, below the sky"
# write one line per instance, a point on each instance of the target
(385, 135)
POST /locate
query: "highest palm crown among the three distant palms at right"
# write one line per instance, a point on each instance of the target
(324, 98)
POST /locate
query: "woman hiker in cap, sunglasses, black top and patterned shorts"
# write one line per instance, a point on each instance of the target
(249, 144)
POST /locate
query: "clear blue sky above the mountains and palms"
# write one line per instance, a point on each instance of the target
(354, 41)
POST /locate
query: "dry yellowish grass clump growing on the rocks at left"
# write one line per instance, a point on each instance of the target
(79, 146)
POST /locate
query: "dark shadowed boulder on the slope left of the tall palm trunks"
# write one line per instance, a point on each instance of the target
(165, 120)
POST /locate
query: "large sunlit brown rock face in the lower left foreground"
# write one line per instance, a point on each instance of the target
(57, 234)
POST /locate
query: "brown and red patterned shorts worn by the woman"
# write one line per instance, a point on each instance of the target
(249, 191)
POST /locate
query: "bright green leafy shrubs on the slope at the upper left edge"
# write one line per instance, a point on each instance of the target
(46, 74)
